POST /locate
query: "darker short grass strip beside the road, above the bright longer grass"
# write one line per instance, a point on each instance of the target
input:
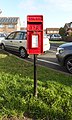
(14, 65)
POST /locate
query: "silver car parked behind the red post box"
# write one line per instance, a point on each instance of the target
(17, 41)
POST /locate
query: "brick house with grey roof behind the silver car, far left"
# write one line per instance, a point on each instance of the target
(9, 24)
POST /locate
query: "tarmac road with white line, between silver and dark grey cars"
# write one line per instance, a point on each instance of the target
(49, 60)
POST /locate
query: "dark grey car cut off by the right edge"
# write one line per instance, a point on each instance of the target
(64, 55)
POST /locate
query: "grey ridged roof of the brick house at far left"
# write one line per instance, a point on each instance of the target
(8, 20)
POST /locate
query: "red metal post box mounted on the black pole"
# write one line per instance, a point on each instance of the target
(34, 34)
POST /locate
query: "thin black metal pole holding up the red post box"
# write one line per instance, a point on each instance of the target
(35, 80)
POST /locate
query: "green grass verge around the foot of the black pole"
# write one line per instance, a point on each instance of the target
(54, 100)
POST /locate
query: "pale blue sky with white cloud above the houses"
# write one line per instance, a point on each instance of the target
(55, 12)
